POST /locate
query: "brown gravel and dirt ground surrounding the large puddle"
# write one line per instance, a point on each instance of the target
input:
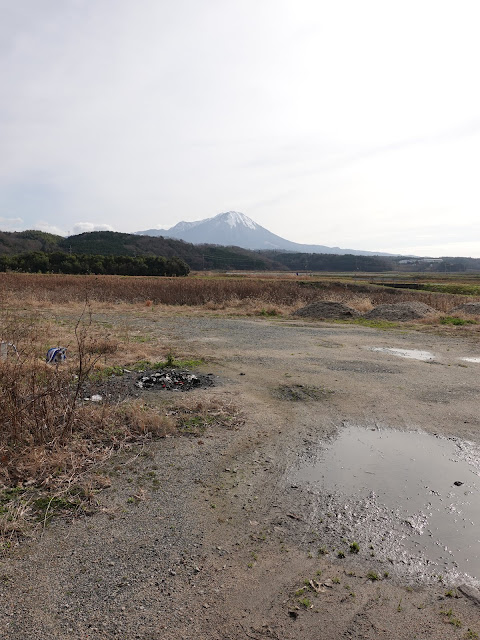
(224, 541)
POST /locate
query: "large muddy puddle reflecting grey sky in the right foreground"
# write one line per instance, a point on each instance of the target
(414, 495)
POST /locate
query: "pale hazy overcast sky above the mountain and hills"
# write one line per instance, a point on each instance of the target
(344, 123)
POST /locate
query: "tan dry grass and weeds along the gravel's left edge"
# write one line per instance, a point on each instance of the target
(52, 441)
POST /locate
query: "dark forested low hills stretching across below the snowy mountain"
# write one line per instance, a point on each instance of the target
(131, 252)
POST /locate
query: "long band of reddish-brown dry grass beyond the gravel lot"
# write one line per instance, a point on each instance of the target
(245, 295)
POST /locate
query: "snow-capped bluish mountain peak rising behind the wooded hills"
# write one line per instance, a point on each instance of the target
(236, 229)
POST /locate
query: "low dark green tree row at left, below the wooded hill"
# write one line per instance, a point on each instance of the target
(84, 264)
